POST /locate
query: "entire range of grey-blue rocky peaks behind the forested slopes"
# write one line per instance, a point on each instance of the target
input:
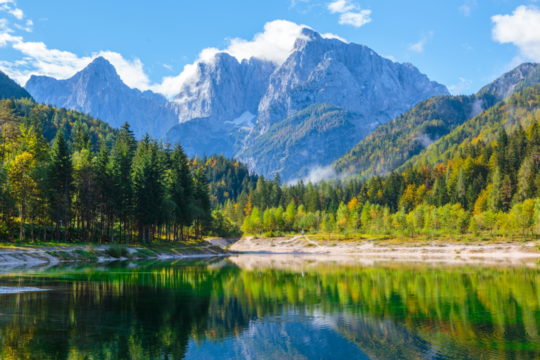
(324, 98)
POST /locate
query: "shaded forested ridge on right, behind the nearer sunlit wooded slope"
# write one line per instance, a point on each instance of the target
(391, 145)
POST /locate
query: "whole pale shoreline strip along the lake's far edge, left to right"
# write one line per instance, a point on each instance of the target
(369, 250)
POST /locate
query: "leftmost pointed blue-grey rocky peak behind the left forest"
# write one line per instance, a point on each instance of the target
(99, 91)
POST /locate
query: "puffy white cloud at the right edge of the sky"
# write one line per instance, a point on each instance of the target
(521, 29)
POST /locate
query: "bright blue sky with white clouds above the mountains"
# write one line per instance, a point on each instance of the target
(463, 44)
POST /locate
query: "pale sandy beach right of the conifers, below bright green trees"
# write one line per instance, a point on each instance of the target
(390, 249)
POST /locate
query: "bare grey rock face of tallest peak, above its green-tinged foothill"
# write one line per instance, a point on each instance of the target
(350, 76)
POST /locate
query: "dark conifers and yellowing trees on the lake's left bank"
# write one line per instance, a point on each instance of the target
(117, 190)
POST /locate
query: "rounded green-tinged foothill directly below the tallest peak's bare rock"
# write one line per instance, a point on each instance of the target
(312, 137)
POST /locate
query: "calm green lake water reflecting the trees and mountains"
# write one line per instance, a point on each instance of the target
(272, 307)
